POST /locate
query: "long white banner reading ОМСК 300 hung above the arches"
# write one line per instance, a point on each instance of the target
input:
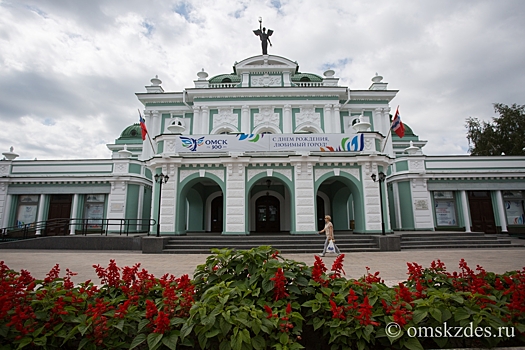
(270, 142)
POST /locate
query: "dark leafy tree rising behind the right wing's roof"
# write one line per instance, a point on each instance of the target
(504, 135)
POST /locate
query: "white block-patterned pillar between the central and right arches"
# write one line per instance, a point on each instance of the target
(305, 217)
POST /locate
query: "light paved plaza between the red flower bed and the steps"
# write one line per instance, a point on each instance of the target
(392, 265)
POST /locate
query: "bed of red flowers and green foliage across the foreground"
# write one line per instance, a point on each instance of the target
(255, 299)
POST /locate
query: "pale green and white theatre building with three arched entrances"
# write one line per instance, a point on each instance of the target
(269, 148)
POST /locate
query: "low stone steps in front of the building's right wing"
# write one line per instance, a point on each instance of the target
(458, 240)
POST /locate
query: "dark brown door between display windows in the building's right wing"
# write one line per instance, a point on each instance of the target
(481, 212)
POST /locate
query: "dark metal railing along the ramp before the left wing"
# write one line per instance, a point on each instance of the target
(64, 227)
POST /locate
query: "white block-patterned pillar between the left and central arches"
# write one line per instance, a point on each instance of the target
(236, 200)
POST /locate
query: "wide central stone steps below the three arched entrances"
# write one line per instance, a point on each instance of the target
(200, 243)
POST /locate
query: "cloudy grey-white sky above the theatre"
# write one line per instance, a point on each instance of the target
(69, 70)
